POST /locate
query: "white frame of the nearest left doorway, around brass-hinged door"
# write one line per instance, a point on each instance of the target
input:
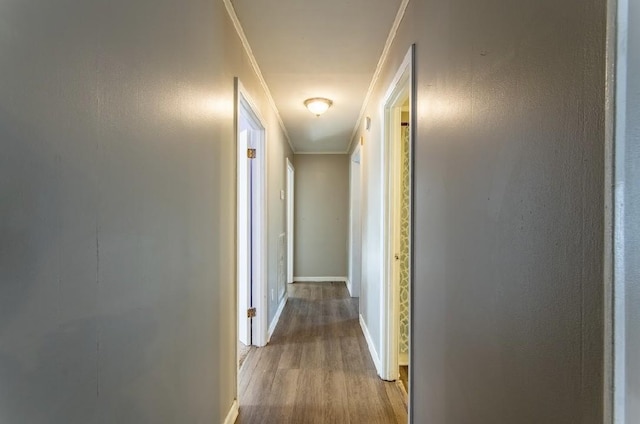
(244, 106)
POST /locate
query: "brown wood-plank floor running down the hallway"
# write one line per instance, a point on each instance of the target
(317, 367)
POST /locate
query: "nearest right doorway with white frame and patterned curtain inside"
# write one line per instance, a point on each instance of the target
(398, 177)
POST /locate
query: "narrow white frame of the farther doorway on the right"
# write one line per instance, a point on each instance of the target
(353, 285)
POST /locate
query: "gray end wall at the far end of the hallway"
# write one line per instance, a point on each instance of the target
(321, 215)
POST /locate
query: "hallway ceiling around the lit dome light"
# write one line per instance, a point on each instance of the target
(321, 48)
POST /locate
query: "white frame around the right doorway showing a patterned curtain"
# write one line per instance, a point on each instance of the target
(403, 84)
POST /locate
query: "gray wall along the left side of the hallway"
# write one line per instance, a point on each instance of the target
(117, 210)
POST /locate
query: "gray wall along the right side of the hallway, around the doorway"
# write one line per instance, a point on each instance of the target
(509, 158)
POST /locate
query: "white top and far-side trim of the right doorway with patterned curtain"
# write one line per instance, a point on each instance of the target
(390, 296)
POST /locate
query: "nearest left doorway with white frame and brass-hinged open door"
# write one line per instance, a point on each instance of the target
(251, 207)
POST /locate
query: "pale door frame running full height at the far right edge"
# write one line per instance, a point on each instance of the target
(620, 129)
